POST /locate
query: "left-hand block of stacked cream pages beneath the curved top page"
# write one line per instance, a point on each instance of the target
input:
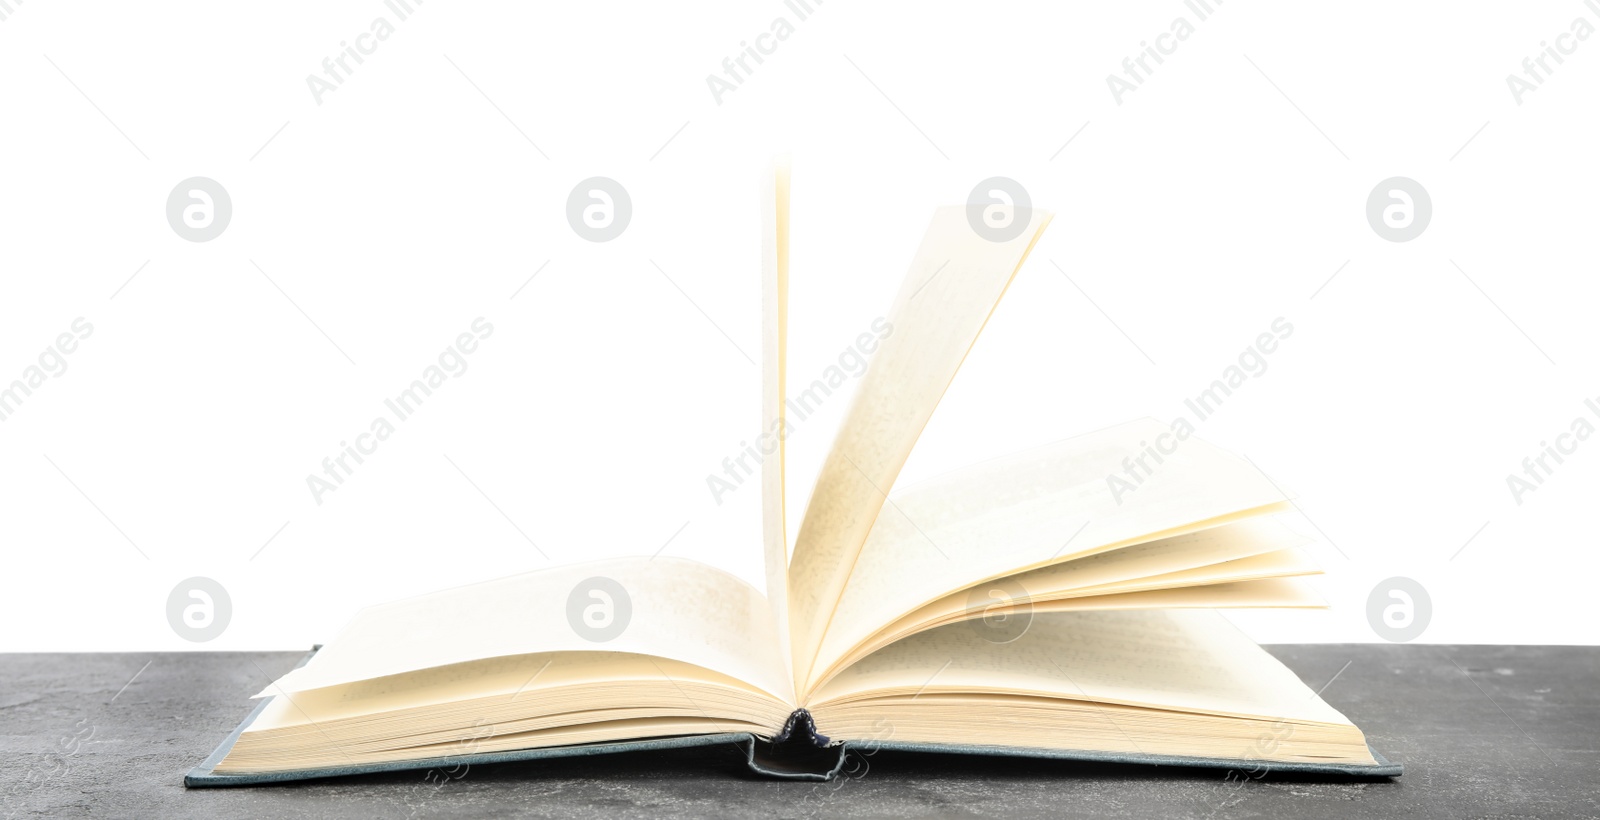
(502, 704)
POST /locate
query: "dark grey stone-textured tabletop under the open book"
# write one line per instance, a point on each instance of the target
(1482, 733)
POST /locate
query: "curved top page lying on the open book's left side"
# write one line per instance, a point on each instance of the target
(666, 608)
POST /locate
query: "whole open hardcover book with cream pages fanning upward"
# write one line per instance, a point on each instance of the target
(1015, 608)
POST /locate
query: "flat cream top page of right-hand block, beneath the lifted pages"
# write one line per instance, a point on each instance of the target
(1191, 661)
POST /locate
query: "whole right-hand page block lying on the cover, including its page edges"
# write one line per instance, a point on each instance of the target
(1143, 681)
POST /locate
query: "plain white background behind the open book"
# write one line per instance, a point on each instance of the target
(372, 228)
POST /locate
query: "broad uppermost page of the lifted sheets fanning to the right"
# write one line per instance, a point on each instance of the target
(1038, 508)
